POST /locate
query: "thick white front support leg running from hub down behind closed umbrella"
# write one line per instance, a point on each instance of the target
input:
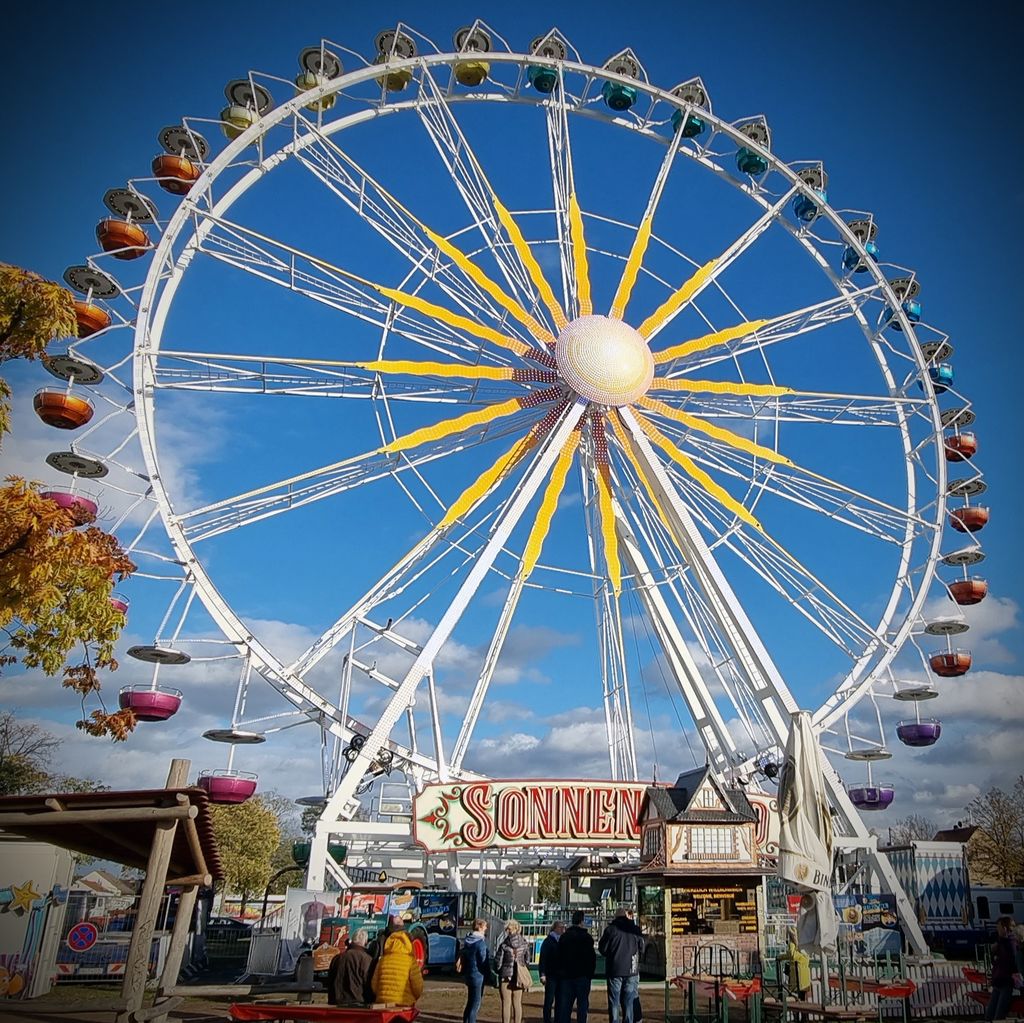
(766, 683)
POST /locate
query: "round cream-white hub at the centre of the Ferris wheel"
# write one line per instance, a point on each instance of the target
(605, 360)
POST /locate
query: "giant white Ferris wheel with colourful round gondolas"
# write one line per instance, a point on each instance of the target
(578, 342)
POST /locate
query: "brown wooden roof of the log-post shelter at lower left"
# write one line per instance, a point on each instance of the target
(116, 839)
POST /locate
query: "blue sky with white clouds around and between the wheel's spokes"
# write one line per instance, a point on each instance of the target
(908, 109)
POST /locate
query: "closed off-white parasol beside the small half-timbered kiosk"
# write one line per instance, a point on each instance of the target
(805, 858)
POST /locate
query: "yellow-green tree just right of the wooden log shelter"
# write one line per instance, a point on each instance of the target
(248, 836)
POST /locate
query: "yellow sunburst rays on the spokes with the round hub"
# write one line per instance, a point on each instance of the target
(603, 360)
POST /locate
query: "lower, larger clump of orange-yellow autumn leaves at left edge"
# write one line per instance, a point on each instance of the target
(56, 585)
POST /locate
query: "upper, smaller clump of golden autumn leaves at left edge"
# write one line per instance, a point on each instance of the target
(33, 312)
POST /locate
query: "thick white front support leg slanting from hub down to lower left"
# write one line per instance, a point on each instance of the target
(482, 566)
